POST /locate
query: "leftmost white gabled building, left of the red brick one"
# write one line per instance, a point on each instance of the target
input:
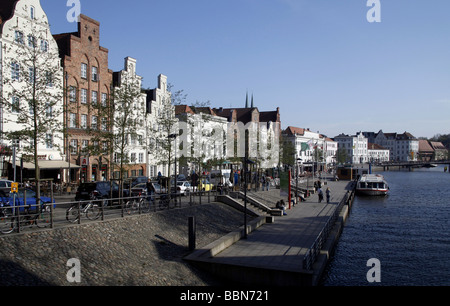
(25, 36)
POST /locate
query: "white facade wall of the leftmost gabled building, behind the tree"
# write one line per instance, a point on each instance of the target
(30, 22)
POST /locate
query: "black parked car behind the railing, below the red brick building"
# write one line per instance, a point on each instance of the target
(102, 190)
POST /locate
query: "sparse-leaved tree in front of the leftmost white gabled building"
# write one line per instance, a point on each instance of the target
(32, 100)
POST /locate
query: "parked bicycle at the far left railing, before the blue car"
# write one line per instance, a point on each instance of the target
(14, 217)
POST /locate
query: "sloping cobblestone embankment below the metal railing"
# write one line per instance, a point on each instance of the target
(142, 250)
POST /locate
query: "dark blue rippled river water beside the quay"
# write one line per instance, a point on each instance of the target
(408, 232)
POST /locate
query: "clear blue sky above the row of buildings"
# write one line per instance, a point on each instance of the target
(320, 61)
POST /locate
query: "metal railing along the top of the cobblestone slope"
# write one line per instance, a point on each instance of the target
(21, 218)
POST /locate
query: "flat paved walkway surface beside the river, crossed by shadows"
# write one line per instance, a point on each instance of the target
(283, 244)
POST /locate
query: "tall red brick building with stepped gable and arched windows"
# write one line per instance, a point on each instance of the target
(88, 82)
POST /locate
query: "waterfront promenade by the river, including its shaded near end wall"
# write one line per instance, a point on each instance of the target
(274, 253)
